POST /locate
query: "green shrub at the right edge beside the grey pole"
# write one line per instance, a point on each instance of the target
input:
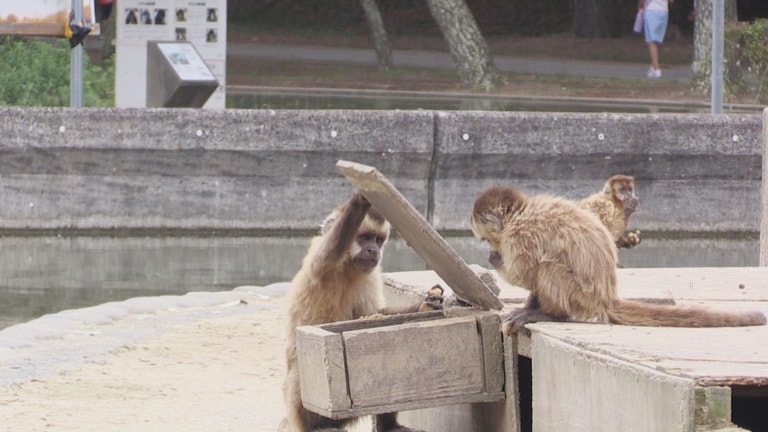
(750, 40)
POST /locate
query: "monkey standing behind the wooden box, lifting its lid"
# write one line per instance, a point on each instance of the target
(340, 279)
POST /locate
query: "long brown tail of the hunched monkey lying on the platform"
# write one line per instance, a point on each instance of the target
(629, 312)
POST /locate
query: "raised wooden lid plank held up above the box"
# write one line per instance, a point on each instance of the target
(420, 235)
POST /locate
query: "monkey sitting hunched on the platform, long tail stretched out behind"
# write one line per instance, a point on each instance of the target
(566, 258)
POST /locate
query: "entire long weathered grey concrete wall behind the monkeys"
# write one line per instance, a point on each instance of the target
(274, 169)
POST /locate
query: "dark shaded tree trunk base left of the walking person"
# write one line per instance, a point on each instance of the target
(596, 18)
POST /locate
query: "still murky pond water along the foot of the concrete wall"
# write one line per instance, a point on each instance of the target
(42, 275)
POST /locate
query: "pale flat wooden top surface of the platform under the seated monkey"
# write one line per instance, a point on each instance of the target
(711, 356)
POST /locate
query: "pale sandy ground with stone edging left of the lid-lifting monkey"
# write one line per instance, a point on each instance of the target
(154, 364)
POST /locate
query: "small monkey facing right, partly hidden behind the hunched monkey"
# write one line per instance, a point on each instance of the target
(613, 206)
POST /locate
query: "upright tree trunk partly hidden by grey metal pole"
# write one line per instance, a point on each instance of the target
(701, 68)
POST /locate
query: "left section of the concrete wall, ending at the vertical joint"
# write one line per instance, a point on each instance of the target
(193, 169)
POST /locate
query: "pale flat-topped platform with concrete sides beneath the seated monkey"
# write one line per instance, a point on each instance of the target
(592, 377)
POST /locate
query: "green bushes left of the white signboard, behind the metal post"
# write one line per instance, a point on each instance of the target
(36, 73)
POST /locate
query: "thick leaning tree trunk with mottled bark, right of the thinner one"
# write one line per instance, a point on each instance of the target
(467, 45)
